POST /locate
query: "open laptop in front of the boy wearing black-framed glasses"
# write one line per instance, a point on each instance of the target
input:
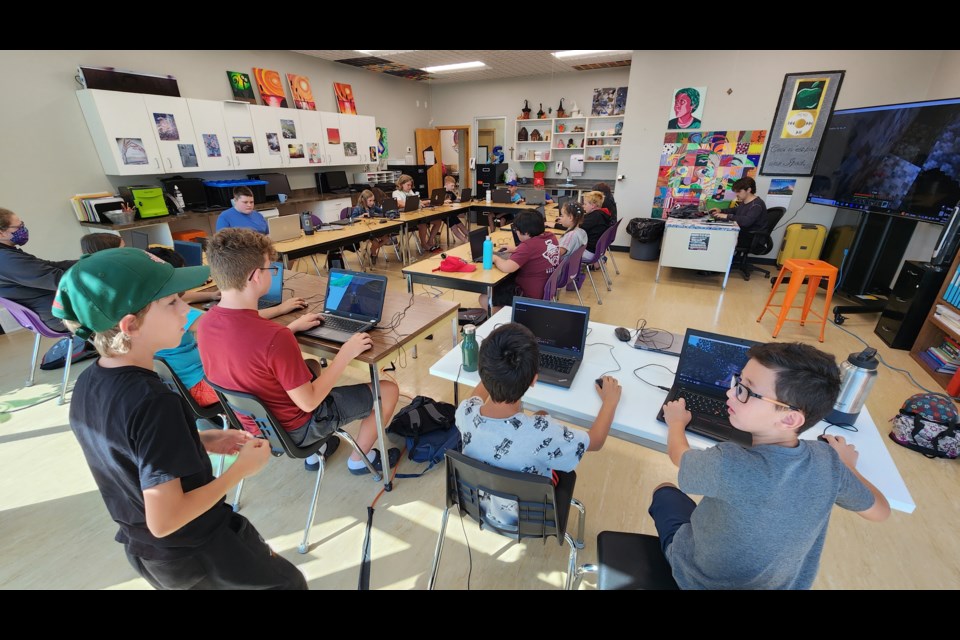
(708, 361)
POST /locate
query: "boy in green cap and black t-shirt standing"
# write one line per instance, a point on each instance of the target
(140, 440)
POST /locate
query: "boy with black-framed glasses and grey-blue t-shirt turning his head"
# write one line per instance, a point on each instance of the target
(764, 514)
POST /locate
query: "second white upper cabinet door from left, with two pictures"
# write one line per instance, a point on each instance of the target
(178, 144)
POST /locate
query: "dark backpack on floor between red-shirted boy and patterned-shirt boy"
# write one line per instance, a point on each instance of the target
(429, 430)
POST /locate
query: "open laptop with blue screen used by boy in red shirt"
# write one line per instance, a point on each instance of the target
(353, 303)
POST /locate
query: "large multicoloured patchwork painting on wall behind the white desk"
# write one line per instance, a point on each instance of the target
(703, 165)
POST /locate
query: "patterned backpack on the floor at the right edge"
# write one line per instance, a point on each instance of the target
(927, 423)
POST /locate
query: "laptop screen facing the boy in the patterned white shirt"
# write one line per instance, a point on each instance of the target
(559, 328)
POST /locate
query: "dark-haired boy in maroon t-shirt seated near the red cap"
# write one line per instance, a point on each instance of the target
(531, 263)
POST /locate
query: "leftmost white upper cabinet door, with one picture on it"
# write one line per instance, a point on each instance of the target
(124, 137)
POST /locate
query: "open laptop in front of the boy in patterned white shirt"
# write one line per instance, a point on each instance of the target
(561, 331)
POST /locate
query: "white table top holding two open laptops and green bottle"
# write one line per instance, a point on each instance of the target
(636, 416)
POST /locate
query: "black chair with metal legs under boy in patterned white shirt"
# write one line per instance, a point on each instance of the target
(539, 515)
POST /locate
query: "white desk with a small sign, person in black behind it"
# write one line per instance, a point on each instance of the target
(692, 244)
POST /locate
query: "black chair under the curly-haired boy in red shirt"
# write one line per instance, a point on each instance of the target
(245, 404)
